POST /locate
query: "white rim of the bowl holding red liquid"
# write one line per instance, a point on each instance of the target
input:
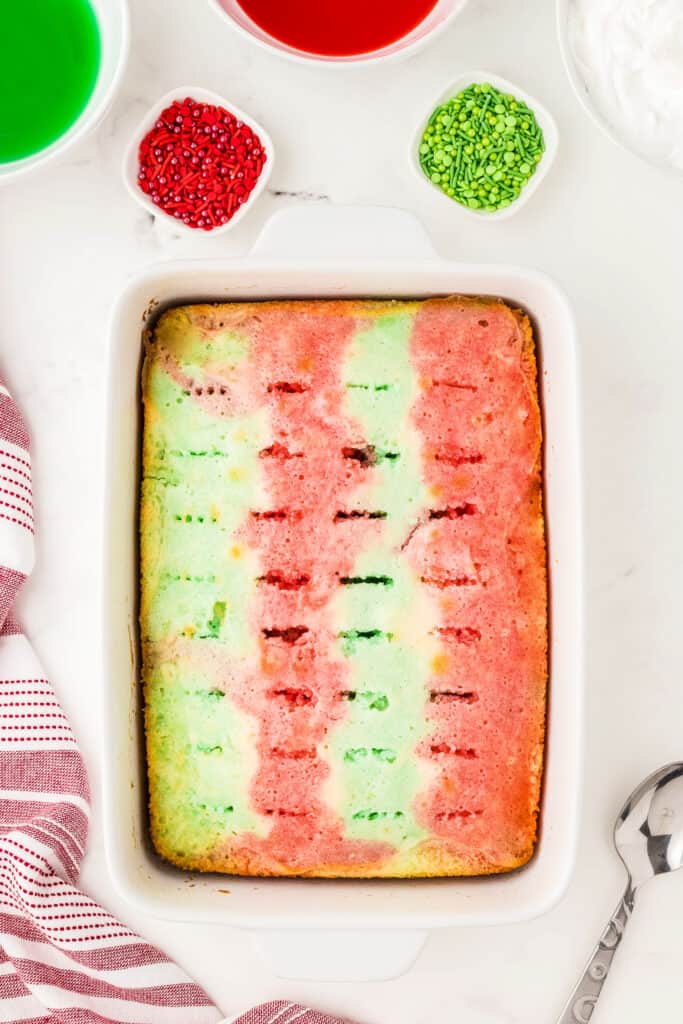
(399, 51)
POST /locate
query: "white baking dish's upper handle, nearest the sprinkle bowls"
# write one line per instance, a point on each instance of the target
(349, 233)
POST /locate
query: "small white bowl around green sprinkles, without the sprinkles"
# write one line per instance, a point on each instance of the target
(545, 120)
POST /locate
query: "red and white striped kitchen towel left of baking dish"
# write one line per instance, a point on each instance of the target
(64, 960)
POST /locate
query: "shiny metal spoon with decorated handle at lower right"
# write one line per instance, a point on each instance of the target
(649, 837)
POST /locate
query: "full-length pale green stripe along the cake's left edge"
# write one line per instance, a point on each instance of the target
(202, 476)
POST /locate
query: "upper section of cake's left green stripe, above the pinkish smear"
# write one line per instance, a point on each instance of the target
(197, 578)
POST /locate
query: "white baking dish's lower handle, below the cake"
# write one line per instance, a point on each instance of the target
(372, 955)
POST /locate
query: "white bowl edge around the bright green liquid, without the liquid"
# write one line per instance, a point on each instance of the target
(113, 21)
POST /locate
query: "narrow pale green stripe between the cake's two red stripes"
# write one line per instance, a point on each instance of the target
(375, 793)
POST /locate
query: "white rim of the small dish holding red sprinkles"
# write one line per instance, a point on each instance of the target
(131, 161)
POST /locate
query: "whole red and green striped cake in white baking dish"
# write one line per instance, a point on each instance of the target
(344, 614)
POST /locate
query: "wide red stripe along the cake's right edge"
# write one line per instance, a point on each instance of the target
(477, 447)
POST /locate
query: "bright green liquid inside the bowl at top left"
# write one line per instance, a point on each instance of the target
(50, 59)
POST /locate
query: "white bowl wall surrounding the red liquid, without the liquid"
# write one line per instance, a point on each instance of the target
(430, 28)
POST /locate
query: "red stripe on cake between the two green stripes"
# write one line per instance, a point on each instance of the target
(310, 549)
